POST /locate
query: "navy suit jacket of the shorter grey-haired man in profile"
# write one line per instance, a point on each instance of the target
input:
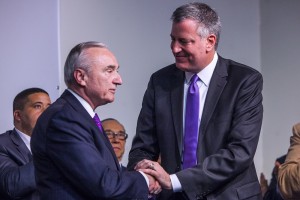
(74, 160)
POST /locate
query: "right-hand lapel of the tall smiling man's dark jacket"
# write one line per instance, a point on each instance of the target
(216, 86)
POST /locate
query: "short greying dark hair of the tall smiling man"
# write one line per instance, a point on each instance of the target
(208, 19)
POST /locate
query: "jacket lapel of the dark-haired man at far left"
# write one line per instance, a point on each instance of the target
(24, 152)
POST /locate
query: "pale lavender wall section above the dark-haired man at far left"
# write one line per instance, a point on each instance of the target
(29, 51)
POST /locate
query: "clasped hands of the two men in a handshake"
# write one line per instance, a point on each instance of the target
(157, 176)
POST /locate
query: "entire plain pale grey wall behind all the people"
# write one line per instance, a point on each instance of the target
(37, 35)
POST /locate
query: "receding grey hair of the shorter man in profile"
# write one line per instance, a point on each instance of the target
(78, 58)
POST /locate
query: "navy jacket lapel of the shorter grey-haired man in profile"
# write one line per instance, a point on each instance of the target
(89, 121)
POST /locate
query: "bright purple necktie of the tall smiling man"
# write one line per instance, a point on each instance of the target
(191, 124)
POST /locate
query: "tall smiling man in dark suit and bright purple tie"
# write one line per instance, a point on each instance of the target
(228, 111)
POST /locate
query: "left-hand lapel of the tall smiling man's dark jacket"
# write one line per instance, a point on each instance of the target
(177, 105)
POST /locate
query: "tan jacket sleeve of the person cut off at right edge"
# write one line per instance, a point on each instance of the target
(289, 171)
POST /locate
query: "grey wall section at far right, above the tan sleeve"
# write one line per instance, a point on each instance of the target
(281, 69)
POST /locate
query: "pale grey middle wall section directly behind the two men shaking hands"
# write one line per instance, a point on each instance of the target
(138, 32)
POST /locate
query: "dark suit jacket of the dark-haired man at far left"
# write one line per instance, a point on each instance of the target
(17, 180)
